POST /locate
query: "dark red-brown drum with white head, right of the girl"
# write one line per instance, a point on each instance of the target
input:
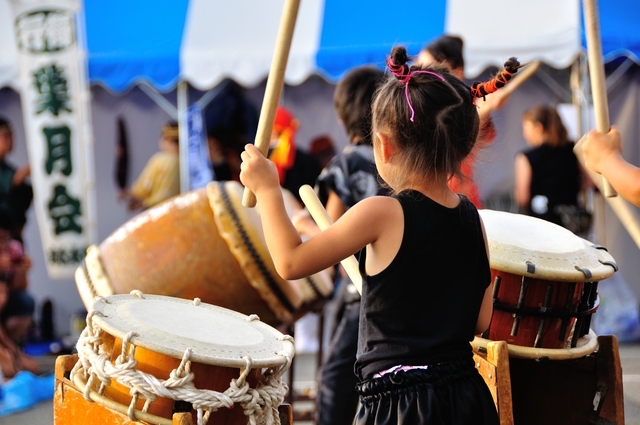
(545, 281)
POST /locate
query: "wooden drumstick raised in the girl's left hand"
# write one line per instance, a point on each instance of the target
(274, 86)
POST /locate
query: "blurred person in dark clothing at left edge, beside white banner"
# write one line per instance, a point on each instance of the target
(16, 193)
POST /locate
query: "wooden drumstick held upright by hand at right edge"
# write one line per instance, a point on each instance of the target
(596, 74)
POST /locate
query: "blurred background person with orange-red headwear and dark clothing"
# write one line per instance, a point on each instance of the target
(295, 166)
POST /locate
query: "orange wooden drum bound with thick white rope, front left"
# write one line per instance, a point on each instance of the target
(149, 356)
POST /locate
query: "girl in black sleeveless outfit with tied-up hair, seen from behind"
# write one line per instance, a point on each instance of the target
(419, 308)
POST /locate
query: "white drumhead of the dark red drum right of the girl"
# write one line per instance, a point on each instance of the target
(528, 246)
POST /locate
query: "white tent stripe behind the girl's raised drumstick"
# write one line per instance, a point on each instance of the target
(217, 43)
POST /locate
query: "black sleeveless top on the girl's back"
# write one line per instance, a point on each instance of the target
(407, 316)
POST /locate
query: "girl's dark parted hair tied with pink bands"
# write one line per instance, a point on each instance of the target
(445, 124)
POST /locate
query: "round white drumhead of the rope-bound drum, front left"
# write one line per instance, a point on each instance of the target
(216, 335)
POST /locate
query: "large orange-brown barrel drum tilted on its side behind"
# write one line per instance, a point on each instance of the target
(202, 244)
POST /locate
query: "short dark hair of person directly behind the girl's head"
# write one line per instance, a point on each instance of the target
(353, 98)
